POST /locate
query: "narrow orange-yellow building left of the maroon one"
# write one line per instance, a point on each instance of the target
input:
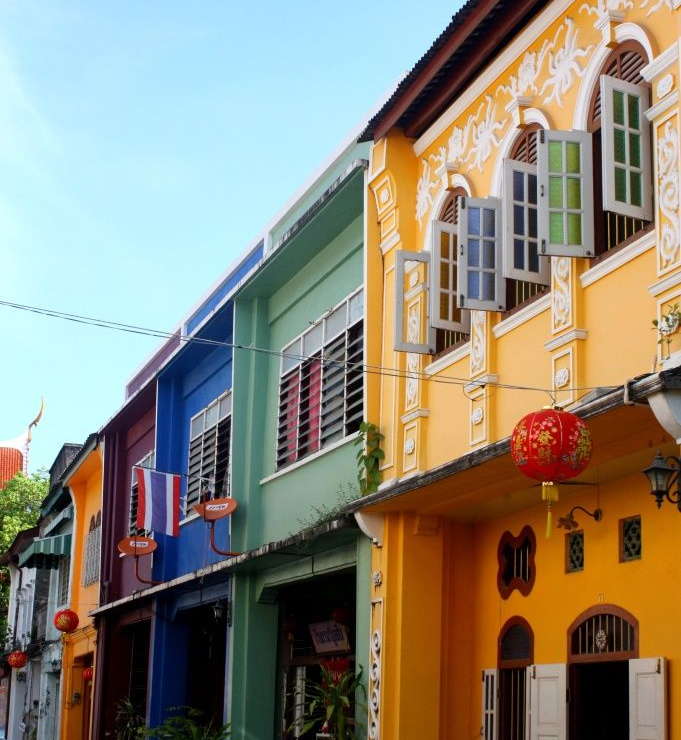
(84, 480)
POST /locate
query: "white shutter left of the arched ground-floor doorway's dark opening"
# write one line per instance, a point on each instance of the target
(547, 706)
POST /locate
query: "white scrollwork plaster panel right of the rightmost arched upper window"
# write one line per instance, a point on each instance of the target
(668, 175)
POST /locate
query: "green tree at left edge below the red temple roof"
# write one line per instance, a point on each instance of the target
(20, 501)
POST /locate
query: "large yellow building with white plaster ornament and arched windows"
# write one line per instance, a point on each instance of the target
(523, 234)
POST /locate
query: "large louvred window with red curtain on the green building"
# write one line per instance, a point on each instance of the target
(321, 392)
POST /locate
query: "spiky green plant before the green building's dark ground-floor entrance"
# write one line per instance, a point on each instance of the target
(329, 703)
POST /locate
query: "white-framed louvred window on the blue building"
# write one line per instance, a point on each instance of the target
(209, 452)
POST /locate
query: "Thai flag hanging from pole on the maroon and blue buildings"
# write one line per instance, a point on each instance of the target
(158, 501)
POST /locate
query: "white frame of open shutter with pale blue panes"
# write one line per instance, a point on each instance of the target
(498, 302)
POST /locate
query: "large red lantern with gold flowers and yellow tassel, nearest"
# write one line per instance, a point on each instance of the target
(551, 446)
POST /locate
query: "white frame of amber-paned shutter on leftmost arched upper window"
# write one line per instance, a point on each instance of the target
(451, 264)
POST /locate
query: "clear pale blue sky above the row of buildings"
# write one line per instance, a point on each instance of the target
(143, 146)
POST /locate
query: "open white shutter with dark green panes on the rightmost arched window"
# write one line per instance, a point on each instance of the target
(625, 141)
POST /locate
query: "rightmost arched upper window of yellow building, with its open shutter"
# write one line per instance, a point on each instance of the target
(621, 149)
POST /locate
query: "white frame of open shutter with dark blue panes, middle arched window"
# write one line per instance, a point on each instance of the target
(510, 271)
